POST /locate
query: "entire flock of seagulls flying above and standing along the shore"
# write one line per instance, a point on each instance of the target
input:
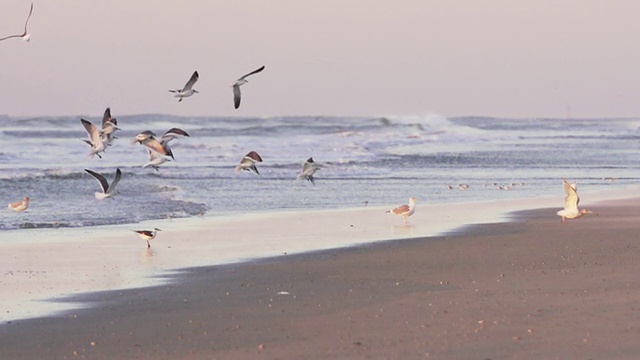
(159, 152)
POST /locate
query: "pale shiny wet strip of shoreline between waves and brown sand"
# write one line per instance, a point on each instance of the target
(81, 260)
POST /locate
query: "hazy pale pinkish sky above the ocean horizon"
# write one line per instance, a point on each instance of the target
(504, 58)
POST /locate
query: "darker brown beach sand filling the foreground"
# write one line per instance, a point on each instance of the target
(532, 288)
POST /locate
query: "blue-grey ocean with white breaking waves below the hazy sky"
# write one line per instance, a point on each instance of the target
(365, 161)
